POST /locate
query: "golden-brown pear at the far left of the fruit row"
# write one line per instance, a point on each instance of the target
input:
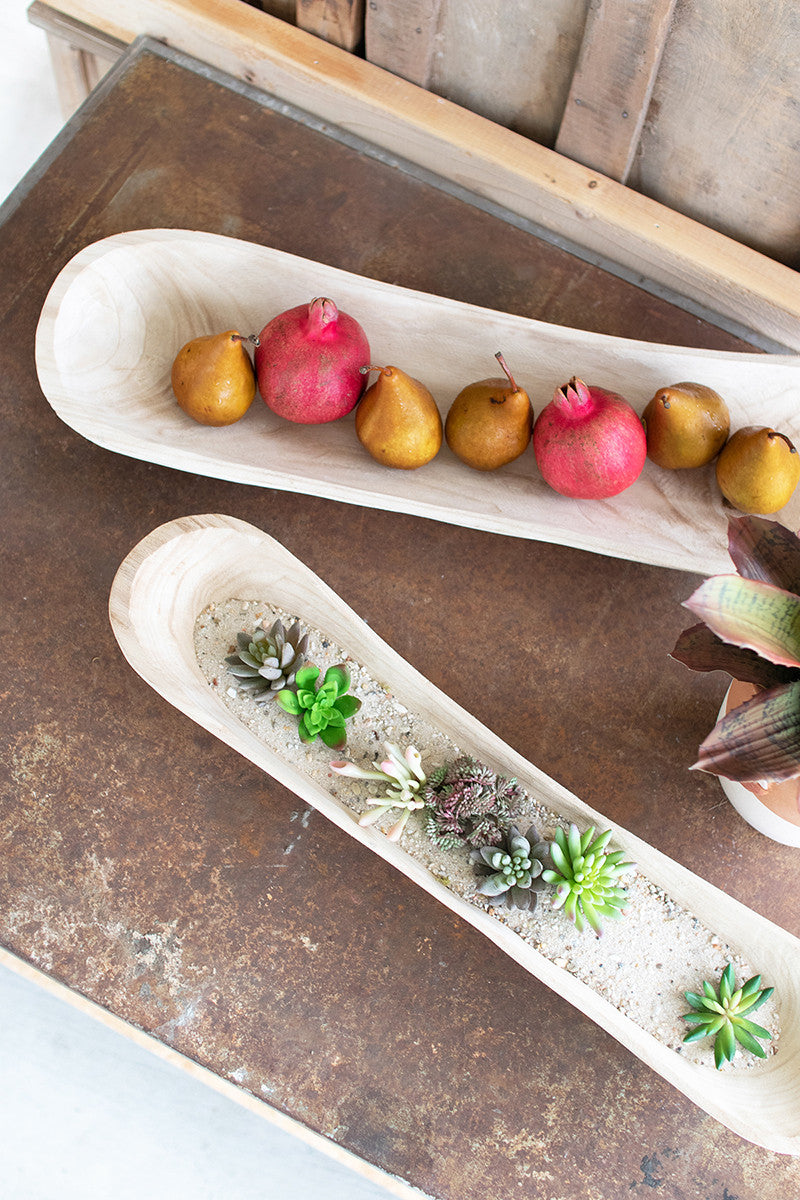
(214, 380)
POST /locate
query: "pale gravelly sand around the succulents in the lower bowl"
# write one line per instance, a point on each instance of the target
(643, 963)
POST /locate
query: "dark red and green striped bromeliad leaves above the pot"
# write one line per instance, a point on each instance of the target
(751, 628)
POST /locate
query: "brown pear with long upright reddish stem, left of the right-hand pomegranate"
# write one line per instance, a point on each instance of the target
(490, 423)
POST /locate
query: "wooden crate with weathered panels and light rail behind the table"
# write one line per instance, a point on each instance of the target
(683, 169)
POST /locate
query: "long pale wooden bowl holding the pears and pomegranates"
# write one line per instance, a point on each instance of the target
(118, 314)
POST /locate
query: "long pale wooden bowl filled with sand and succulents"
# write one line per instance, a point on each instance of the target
(181, 584)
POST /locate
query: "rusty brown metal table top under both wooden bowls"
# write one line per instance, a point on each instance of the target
(151, 869)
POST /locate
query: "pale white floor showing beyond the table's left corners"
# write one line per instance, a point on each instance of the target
(85, 1113)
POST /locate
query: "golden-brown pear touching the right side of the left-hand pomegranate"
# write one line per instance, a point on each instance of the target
(398, 421)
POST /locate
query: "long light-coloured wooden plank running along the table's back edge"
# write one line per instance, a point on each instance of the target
(495, 164)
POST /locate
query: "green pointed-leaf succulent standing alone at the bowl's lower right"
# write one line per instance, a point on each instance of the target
(720, 1013)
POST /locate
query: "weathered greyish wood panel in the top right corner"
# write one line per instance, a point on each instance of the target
(723, 139)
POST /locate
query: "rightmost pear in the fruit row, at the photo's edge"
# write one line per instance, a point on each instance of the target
(759, 470)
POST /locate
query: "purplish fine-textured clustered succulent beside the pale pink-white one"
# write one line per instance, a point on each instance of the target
(468, 805)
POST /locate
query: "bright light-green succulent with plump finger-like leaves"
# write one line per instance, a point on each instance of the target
(586, 877)
